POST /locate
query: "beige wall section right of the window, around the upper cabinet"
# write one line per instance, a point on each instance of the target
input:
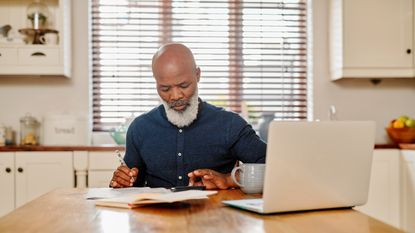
(355, 99)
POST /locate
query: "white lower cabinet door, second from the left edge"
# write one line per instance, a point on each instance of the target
(40, 172)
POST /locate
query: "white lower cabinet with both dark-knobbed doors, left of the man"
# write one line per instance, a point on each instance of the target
(32, 175)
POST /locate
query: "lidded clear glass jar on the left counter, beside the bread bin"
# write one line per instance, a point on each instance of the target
(29, 130)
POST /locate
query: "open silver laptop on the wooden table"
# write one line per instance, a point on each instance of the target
(314, 165)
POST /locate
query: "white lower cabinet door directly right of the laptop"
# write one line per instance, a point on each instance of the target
(384, 195)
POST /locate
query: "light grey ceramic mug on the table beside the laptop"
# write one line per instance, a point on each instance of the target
(251, 177)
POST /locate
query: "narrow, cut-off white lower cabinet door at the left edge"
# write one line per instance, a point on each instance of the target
(6, 182)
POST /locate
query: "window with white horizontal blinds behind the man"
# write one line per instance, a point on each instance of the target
(252, 54)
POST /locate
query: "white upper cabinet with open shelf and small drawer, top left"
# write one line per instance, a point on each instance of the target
(21, 59)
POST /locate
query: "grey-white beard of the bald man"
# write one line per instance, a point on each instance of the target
(183, 118)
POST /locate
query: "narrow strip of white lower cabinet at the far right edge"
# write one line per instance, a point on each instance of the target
(408, 190)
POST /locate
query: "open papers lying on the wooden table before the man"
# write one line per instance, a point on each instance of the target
(137, 200)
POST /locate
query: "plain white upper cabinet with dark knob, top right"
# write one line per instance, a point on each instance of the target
(371, 38)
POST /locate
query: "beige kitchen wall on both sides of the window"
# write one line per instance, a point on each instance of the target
(354, 99)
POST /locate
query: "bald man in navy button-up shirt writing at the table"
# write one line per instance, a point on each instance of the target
(185, 141)
